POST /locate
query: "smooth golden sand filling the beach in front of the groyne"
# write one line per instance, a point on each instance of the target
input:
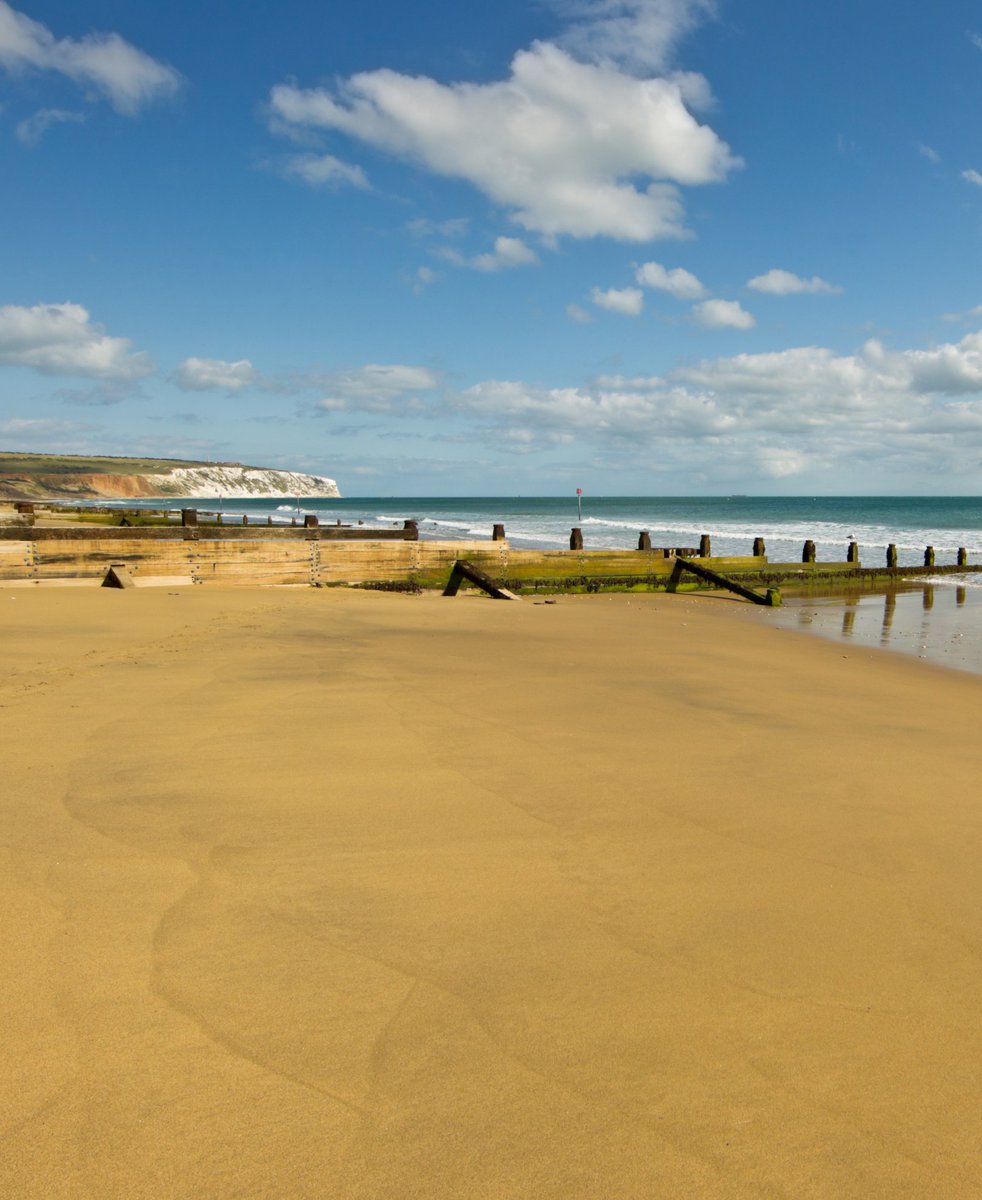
(328, 895)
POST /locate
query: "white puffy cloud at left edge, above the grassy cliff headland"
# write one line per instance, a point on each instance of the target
(61, 340)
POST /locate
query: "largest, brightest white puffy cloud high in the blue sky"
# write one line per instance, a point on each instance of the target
(560, 143)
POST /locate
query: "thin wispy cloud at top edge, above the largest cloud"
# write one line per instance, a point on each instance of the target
(638, 33)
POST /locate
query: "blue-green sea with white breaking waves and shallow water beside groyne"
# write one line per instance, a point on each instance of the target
(935, 619)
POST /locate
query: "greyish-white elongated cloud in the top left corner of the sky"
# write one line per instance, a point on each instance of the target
(105, 62)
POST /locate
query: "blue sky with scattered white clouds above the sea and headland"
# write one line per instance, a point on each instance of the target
(639, 247)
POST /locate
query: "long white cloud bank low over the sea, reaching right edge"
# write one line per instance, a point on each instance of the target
(777, 415)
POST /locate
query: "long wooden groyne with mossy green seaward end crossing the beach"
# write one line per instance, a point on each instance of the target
(327, 555)
